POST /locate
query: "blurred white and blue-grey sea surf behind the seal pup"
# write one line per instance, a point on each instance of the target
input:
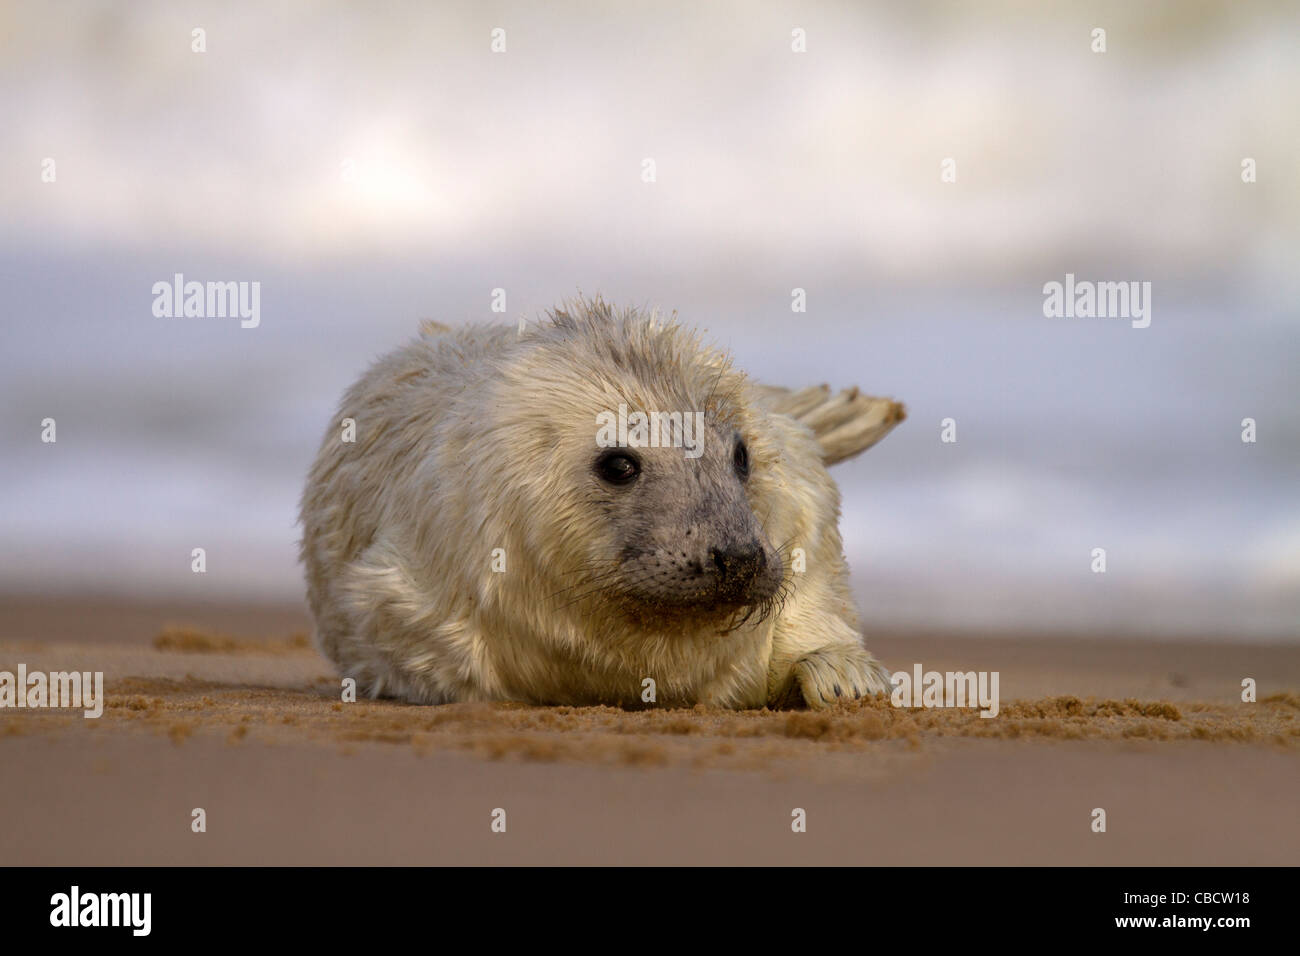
(469, 171)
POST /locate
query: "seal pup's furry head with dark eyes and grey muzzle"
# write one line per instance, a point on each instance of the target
(647, 474)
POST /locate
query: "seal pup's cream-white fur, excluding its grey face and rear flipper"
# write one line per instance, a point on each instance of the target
(482, 439)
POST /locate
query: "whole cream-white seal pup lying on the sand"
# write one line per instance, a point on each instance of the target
(597, 509)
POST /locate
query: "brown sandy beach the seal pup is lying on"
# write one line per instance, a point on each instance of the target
(231, 710)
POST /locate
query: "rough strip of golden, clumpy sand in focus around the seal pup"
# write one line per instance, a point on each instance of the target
(309, 711)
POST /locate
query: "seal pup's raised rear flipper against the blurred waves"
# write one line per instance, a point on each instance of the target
(846, 425)
